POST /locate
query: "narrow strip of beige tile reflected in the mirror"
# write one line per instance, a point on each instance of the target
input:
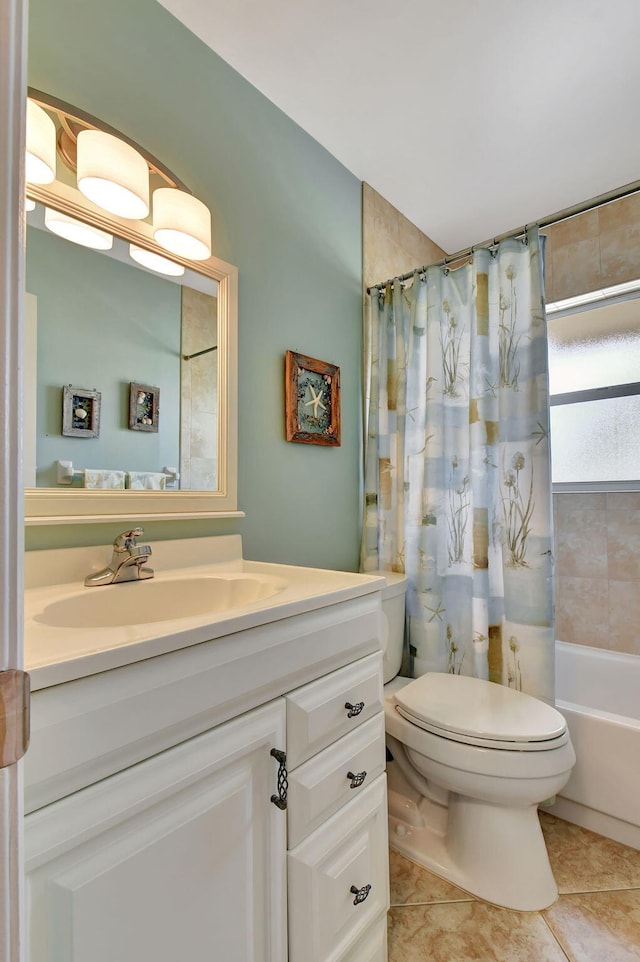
(199, 387)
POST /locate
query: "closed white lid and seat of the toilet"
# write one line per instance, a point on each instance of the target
(474, 710)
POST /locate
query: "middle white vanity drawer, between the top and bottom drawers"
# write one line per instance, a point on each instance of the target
(335, 776)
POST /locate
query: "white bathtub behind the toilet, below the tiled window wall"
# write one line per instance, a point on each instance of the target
(598, 692)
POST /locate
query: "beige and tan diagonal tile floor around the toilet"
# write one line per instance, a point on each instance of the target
(596, 918)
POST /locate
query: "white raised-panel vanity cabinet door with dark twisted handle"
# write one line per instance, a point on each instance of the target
(179, 857)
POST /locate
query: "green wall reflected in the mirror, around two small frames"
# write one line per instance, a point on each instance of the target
(102, 324)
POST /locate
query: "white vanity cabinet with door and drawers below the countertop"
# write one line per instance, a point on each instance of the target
(152, 831)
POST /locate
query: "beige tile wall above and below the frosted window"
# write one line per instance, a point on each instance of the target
(597, 535)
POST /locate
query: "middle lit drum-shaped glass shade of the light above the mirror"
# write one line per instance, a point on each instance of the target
(113, 174)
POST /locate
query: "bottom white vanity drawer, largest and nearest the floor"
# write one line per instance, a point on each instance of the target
(339, 879)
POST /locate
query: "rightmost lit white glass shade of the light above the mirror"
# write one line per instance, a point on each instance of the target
(181, 224)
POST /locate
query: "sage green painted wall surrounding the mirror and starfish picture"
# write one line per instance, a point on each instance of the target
(285, 212)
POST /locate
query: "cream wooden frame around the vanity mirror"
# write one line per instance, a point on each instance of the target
(49, 506)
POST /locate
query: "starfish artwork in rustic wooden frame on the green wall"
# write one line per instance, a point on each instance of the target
(312, 400)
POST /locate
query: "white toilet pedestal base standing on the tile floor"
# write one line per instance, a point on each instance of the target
(491, 851)
